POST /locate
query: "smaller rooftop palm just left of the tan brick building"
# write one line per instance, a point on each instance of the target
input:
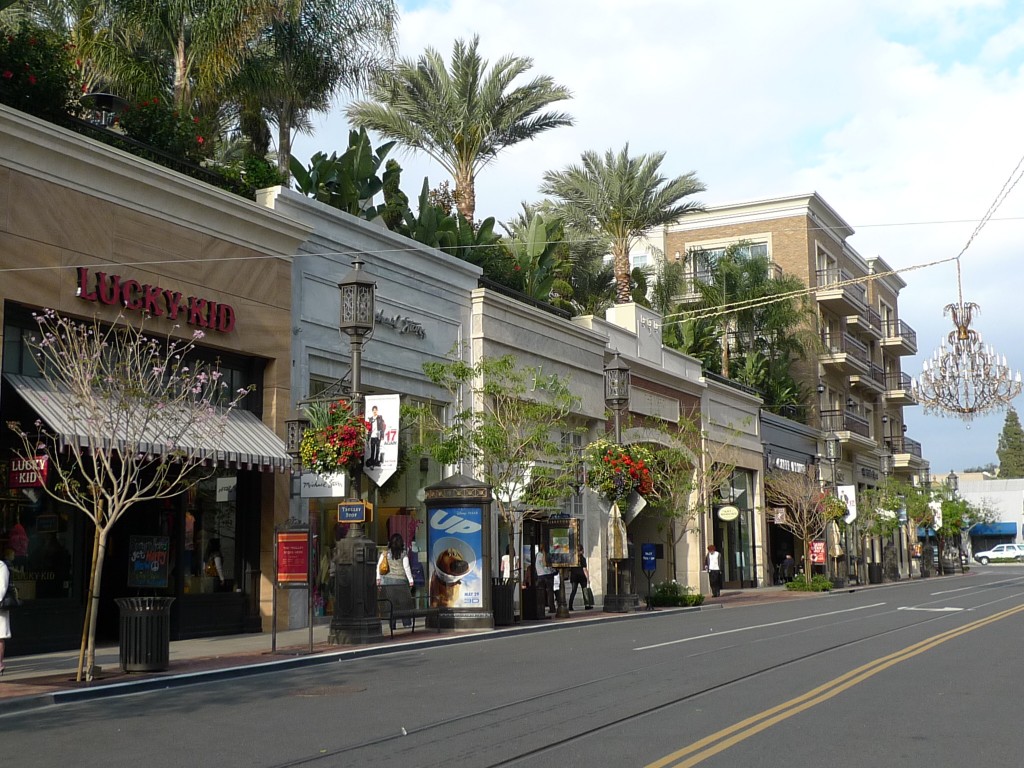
(622, 198)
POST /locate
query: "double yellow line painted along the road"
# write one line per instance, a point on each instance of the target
(723, 740)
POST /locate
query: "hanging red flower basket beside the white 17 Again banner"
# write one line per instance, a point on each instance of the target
(335, 440)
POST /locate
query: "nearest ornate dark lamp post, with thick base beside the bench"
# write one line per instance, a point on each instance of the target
(356, 619)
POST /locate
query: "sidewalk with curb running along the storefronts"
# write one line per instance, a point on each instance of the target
(46, 679)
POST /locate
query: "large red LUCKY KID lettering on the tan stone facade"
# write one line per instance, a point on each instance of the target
(114, 290)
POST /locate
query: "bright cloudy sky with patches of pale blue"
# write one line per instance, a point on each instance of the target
(908, 118)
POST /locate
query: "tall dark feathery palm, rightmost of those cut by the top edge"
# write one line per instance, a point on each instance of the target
(306, 57)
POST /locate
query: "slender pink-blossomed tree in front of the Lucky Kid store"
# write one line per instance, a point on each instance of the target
(139, 417)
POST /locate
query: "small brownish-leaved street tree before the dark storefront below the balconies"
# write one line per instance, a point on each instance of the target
(803, 508)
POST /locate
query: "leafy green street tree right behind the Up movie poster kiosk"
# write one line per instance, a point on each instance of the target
(508, 434)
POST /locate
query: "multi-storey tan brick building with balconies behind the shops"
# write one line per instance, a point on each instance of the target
(860, 390)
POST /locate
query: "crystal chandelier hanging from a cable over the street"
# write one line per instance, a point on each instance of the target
(965, 379)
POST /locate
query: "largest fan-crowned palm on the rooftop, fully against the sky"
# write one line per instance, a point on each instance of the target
(462, 117)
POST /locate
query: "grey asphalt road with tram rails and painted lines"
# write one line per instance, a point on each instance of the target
(921, 674)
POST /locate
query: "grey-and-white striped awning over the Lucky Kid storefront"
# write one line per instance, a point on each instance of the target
(245, 442)
